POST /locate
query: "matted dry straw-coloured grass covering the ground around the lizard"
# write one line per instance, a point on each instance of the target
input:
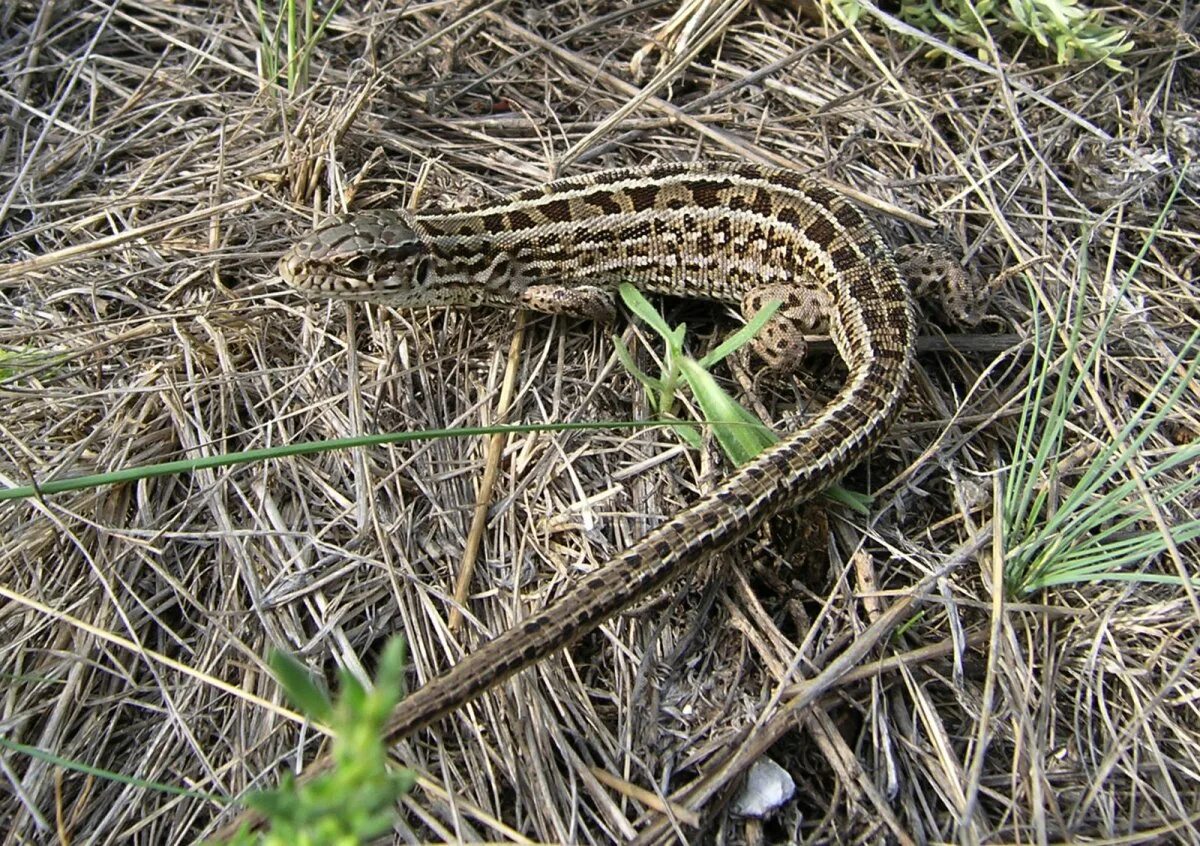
(149, 184)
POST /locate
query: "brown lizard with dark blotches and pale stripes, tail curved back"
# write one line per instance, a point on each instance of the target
(737, 233)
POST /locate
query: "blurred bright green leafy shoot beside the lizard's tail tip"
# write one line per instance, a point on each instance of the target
(356, 801)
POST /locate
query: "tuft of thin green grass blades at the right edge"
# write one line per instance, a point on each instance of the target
(1067, 521)
